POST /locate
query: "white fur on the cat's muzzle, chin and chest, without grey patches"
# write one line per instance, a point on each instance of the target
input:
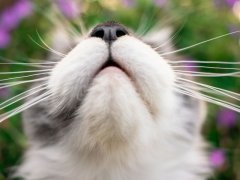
(126, 128)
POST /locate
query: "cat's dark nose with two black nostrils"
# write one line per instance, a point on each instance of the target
(109, 32)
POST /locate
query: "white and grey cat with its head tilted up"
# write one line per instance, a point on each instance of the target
(108, 110)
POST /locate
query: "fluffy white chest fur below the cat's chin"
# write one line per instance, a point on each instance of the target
(50, 163)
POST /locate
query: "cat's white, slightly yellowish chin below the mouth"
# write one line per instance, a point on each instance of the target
(110, 116)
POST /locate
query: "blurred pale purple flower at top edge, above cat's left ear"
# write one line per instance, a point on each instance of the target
(69, 8)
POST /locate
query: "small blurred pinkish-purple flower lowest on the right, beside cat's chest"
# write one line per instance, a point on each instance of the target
(218, 158)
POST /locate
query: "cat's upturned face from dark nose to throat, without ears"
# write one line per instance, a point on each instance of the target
(108, 92)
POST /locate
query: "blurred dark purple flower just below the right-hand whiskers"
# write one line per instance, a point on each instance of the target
(227, 117)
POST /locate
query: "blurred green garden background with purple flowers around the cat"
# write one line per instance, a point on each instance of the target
(193, 21)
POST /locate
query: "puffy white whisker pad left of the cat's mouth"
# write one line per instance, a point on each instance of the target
(73, 74)
